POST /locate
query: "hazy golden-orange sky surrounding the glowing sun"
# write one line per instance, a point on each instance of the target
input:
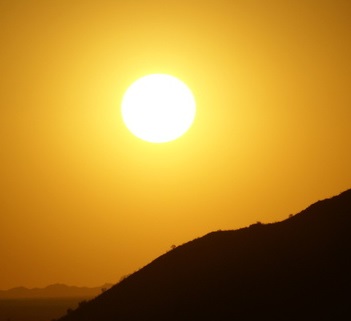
(84, 202)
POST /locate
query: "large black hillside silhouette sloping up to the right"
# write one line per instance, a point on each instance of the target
(297, 269)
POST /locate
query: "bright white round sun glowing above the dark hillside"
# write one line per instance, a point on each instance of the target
(158, 108)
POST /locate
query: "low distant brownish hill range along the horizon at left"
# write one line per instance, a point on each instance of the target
(52, 291)
